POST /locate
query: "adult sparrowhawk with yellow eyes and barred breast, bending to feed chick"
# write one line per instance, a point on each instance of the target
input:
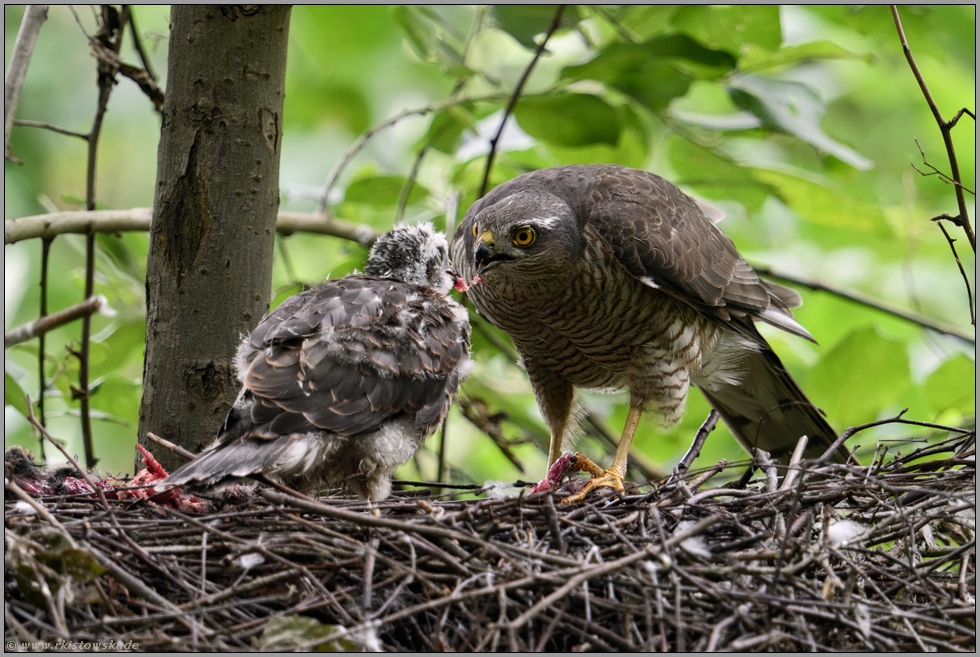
(608, 278)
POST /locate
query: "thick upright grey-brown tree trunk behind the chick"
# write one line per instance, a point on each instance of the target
(209, 272)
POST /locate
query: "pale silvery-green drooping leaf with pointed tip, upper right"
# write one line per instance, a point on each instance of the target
(792, 108)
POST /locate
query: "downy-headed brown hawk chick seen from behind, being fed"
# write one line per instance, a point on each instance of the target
(342, 383)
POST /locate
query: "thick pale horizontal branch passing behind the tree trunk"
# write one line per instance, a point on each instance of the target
(49, 226)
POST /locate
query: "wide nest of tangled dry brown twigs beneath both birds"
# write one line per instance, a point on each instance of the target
(837, 557)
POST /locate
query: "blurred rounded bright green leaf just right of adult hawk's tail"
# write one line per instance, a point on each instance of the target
(863, 376)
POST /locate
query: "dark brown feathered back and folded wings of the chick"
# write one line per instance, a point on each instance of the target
(349, 355)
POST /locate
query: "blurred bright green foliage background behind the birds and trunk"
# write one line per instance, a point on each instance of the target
(798, 122)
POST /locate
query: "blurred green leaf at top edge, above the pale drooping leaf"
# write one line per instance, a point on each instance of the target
(731, 28)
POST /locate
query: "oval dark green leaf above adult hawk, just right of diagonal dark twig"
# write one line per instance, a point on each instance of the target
(569, 119)
